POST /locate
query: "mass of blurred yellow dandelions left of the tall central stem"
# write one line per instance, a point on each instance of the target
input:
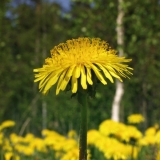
(65, 148)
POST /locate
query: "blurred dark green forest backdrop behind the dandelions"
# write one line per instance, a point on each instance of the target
(29, 29)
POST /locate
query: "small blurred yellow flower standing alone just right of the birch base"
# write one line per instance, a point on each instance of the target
(135, 118)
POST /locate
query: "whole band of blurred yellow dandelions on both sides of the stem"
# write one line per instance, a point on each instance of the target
(112, 139)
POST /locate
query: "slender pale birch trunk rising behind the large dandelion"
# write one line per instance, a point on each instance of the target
(120, 43)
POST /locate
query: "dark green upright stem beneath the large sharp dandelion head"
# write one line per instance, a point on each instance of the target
(82, 98)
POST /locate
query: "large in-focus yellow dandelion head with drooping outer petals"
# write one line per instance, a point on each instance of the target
(77, 61)
